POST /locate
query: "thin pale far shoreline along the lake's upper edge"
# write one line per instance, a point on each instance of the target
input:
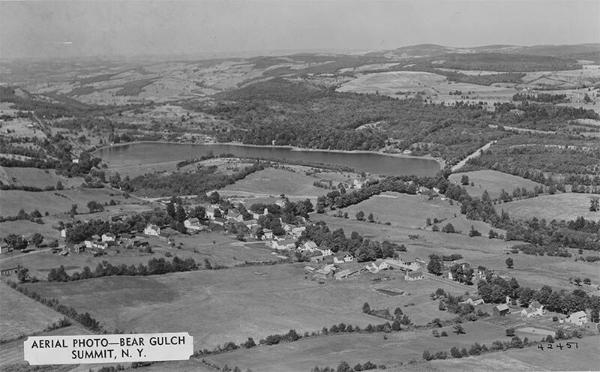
(441, 162)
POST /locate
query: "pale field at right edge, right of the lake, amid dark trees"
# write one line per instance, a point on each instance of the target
(567, 206)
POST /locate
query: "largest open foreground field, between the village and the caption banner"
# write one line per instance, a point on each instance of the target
(243, 302)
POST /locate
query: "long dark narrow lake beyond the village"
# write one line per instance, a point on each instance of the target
(154, 152)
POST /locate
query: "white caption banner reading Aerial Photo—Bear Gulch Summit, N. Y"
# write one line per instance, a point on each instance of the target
(120, 348)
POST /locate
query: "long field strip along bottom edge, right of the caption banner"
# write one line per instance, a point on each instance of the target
(398, 349)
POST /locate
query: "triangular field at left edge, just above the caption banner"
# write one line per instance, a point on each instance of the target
(21, 315)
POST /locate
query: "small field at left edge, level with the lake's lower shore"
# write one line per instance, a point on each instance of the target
(35, 177)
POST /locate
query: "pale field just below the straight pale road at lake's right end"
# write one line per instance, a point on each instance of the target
(492, 181)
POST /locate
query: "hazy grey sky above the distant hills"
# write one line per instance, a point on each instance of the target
(48, 29)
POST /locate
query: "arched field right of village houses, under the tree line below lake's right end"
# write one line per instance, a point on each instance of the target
(412, 211)
